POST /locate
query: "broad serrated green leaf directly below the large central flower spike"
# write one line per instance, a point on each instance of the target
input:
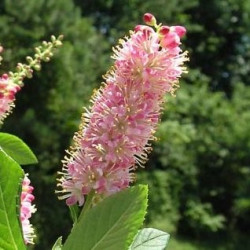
(111, 224)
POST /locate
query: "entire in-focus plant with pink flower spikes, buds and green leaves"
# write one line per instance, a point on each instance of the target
(113, 140)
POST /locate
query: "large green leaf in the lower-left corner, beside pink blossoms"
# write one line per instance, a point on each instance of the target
(11, 176)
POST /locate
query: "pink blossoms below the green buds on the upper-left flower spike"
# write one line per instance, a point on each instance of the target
(8, 89)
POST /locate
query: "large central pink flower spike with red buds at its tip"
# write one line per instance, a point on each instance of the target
(115, 133)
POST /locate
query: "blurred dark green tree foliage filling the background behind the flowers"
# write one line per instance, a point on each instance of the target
(199, 170)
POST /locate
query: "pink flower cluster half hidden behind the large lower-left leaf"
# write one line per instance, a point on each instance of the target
(26, 211)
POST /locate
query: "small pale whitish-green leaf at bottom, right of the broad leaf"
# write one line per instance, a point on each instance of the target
(150, 238)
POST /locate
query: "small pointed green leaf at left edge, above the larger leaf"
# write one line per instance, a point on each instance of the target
(17, 149)
